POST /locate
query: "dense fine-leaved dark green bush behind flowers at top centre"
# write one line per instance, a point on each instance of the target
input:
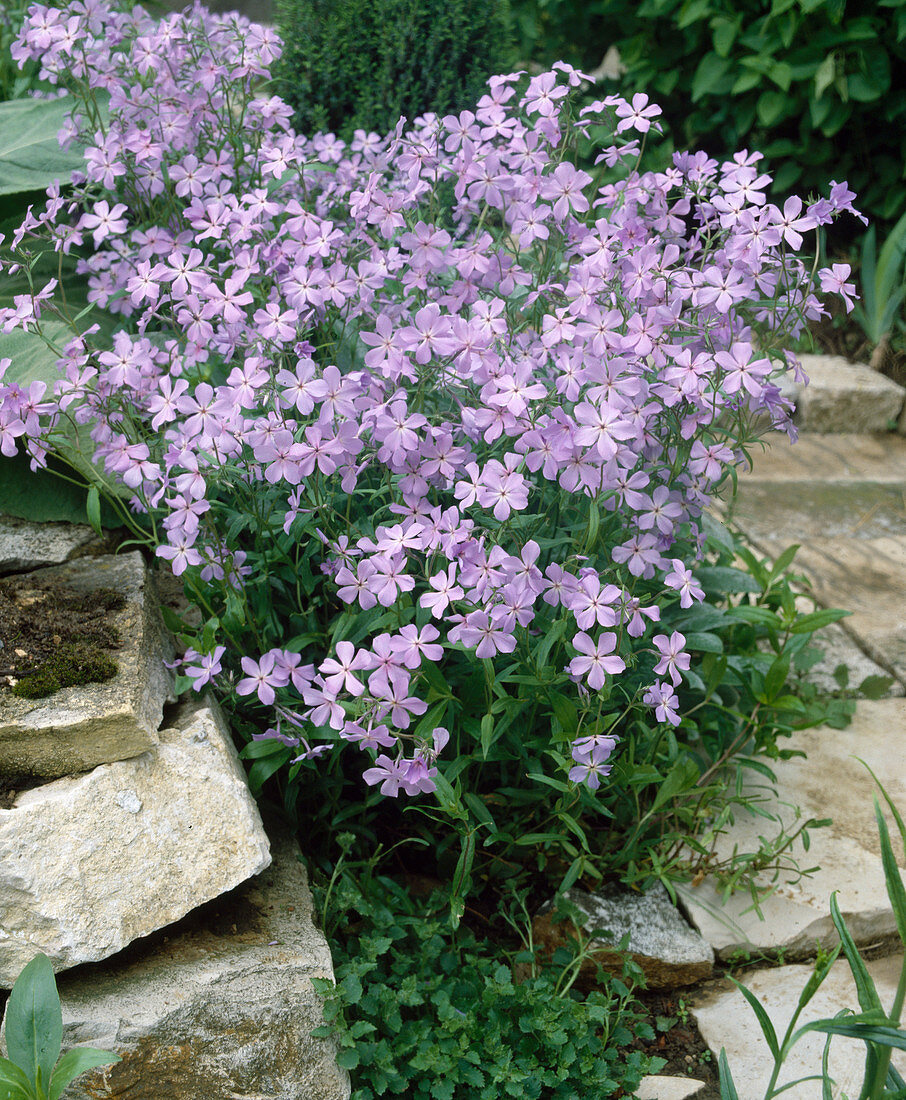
(362, 64)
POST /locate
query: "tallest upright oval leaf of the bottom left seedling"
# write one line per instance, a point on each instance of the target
(35, 1020)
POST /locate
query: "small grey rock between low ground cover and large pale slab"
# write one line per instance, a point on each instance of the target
(669, 952)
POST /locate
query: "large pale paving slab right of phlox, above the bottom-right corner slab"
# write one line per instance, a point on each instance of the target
(828, 784)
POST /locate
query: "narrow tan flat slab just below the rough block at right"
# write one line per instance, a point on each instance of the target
(838, 458)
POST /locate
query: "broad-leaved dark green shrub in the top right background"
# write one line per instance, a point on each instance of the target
(819, 86)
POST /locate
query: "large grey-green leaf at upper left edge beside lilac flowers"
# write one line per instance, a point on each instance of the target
(30, 155)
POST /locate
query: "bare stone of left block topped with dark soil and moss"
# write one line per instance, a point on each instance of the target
(79, 729)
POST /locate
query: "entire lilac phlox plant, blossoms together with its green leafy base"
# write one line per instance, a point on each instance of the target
(428, 424)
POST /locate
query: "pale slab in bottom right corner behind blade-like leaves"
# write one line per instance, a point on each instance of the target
(727, 1021)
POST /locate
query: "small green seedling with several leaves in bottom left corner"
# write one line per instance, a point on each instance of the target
(35, 1037)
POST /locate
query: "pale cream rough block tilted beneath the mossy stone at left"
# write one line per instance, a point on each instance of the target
(91, 863)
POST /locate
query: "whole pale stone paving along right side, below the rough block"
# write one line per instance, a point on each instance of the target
(843, 499)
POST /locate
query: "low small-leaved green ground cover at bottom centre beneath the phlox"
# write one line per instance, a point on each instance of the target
(426, 1013)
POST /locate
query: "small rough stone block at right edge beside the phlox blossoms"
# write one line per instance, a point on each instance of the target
(844, 397)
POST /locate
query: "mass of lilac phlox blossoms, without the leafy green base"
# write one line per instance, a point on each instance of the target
(499, 390)
